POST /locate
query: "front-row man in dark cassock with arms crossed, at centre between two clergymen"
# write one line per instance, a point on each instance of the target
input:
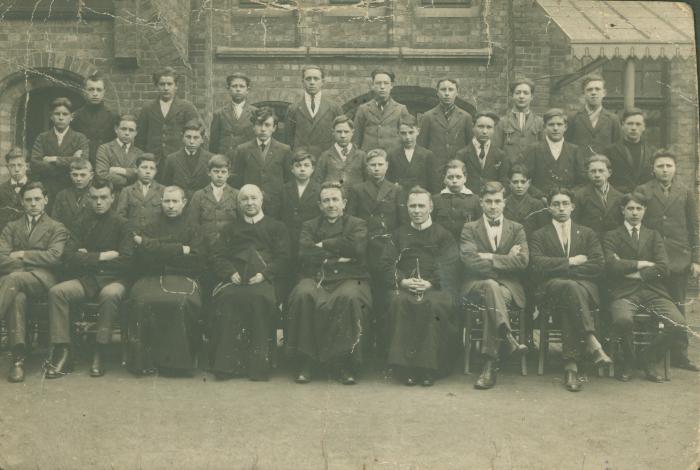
(327, 309)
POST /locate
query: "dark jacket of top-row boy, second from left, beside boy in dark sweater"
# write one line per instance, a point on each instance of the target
(160, 135)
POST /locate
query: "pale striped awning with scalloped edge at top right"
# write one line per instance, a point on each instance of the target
(623, 28)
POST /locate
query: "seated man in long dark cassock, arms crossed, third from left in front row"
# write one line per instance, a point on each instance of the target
(165, 301)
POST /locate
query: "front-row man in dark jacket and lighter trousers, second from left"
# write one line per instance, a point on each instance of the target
(96, 257)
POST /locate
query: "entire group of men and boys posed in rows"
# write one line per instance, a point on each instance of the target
(351, 226)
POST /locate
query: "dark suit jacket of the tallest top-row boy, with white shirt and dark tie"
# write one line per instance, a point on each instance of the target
(313, 134)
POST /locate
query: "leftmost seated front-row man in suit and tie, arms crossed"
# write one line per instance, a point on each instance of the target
(30, 249)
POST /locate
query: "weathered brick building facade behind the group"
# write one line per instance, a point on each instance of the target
(50, 46)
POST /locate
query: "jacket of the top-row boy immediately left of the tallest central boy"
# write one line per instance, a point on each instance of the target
(227, 132)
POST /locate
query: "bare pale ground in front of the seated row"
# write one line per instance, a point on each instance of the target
(123, 422)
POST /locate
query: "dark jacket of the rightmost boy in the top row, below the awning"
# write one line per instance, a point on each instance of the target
(581, 133)
